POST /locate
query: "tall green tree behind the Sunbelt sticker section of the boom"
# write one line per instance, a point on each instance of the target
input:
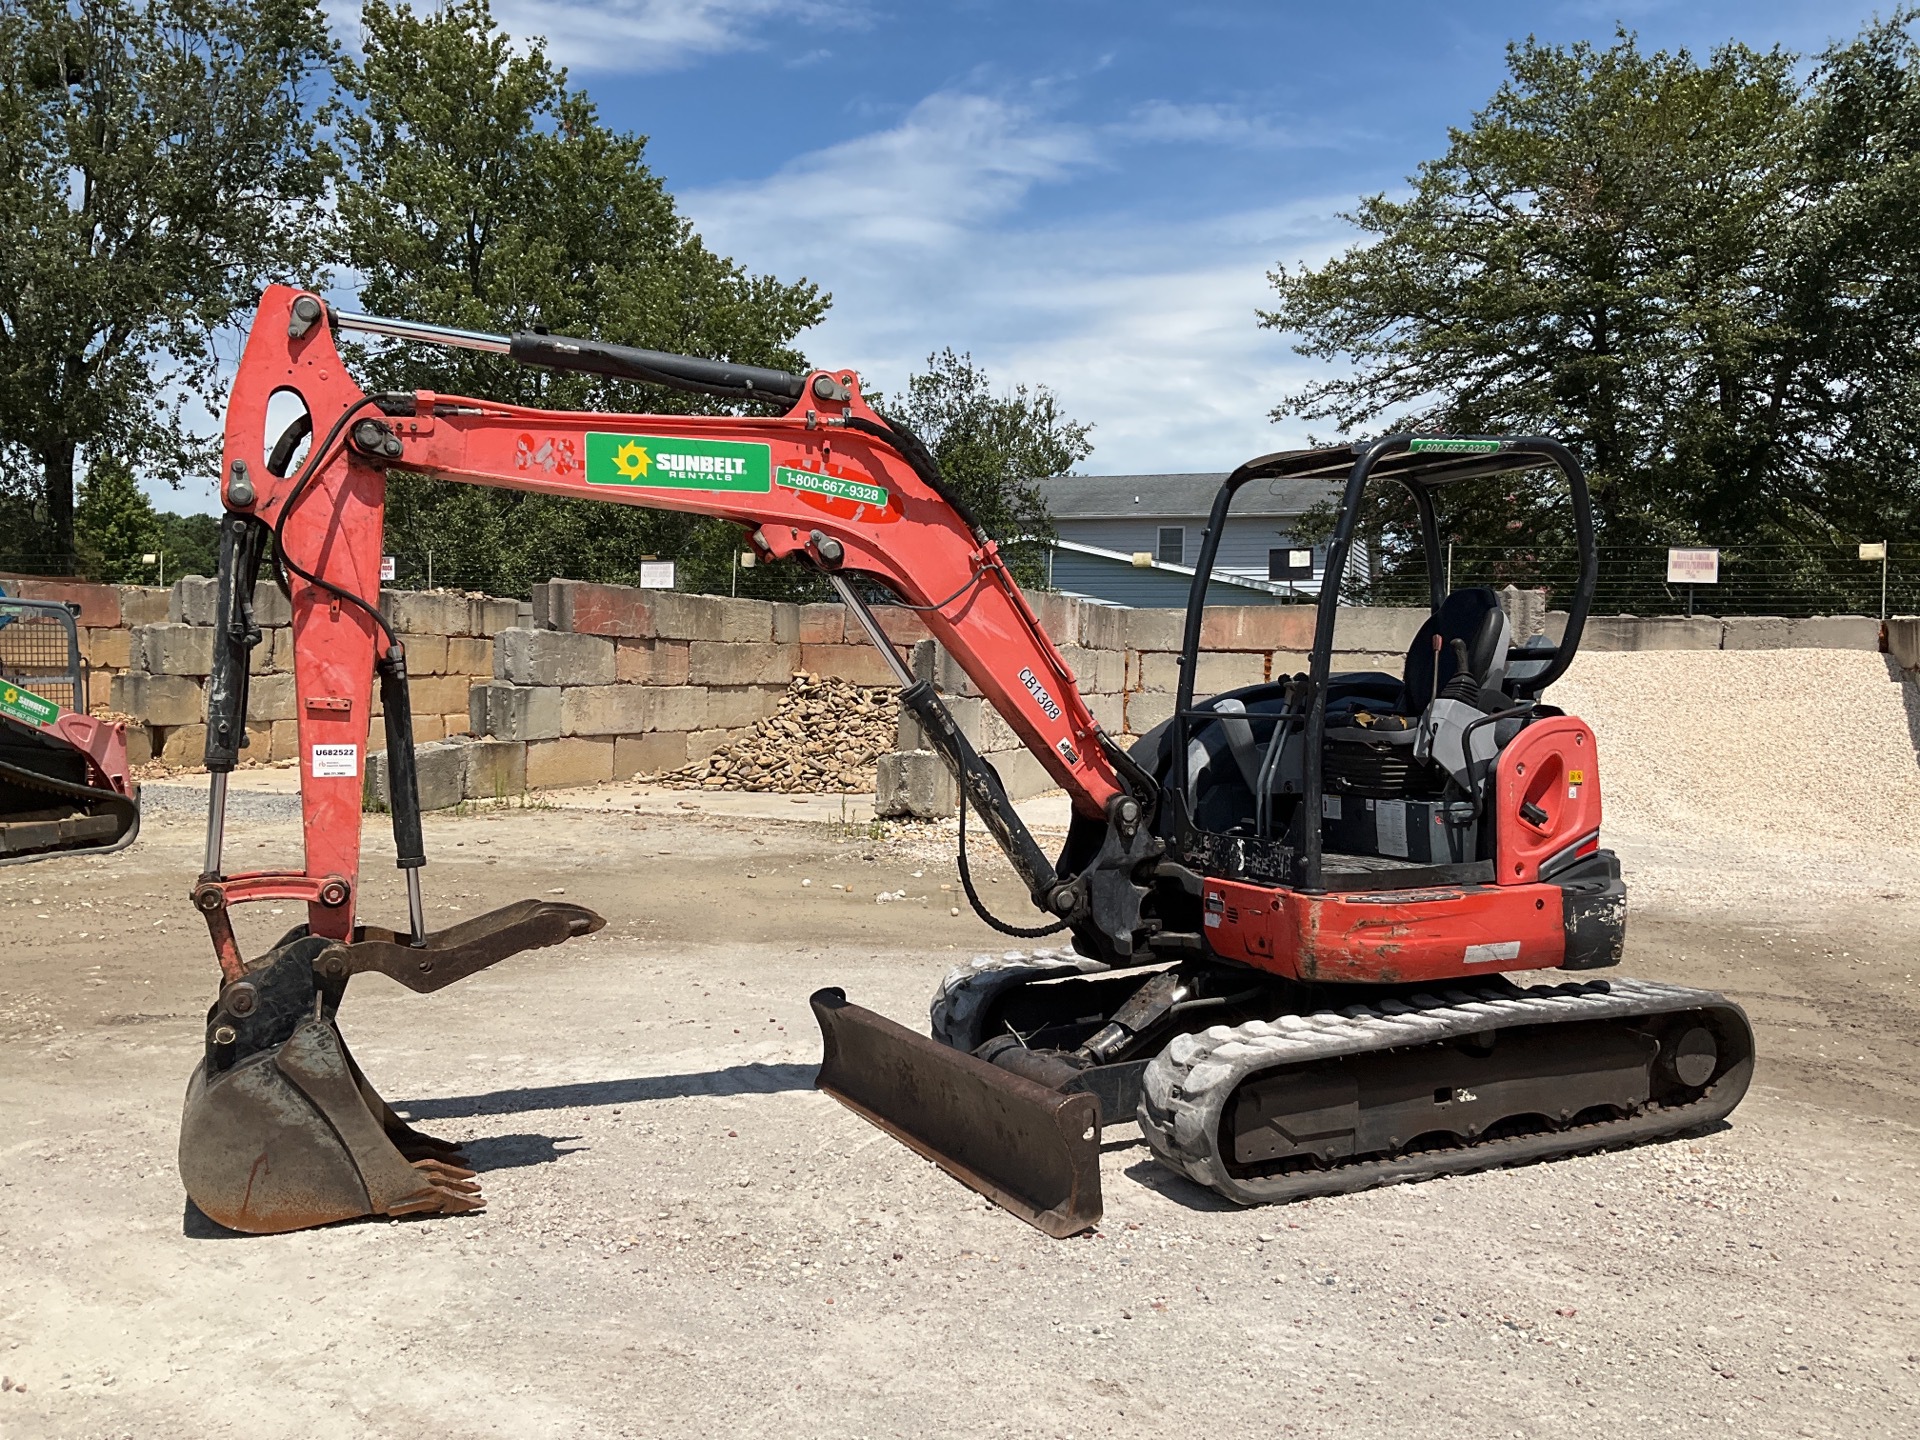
(487, 195)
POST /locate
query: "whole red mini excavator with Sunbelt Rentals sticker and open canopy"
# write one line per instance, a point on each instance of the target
(1291, 909)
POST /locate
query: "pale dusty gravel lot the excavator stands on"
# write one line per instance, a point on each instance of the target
(688, 1241)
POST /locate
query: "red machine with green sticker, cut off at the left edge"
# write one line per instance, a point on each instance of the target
(64, 784)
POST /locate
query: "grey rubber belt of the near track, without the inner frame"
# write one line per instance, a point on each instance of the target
(1189, 1084)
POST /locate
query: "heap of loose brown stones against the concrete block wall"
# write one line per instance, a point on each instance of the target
(827, 736)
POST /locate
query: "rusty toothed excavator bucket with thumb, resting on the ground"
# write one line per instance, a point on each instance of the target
(283, 1132)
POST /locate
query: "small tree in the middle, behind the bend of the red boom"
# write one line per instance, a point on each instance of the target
(996, 450)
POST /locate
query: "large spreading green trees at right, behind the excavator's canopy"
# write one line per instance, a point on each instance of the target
(1698, 274)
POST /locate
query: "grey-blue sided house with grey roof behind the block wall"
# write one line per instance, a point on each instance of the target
(1124, 517)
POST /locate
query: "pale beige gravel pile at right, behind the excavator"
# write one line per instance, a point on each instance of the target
(1737, 748)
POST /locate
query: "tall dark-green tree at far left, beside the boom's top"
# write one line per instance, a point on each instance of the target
(151, 158)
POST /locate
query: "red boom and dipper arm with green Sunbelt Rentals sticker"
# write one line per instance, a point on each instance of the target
(828, 483)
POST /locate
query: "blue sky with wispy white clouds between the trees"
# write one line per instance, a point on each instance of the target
(1080, 193)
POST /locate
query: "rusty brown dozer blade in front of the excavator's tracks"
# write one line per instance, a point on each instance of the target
(1015, 1141)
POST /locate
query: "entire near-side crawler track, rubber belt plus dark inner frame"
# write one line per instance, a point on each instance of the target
(1297, 1107)
